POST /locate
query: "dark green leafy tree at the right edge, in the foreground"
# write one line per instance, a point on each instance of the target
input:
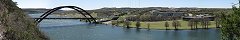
(231, 25)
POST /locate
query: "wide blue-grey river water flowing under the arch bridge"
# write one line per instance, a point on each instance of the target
(76, 30)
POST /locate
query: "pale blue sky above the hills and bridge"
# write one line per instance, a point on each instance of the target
(97, 4)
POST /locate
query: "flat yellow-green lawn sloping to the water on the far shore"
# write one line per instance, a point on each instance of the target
(160, 25)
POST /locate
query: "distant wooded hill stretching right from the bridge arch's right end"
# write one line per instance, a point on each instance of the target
(112, 11)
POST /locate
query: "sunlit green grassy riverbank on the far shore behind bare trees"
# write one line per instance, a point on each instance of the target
(161, 25)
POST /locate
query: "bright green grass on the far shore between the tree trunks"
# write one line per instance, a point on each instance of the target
(161, 25)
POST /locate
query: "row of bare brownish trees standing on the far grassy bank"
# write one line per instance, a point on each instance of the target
(193, 23)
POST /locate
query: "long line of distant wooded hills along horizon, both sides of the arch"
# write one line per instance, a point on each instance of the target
(107, 12)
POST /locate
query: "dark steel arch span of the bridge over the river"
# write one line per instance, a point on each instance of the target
(80, 10)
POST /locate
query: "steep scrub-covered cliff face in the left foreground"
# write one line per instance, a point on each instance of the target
(16, 25)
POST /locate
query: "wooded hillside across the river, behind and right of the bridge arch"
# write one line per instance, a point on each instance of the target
(110, 12)
